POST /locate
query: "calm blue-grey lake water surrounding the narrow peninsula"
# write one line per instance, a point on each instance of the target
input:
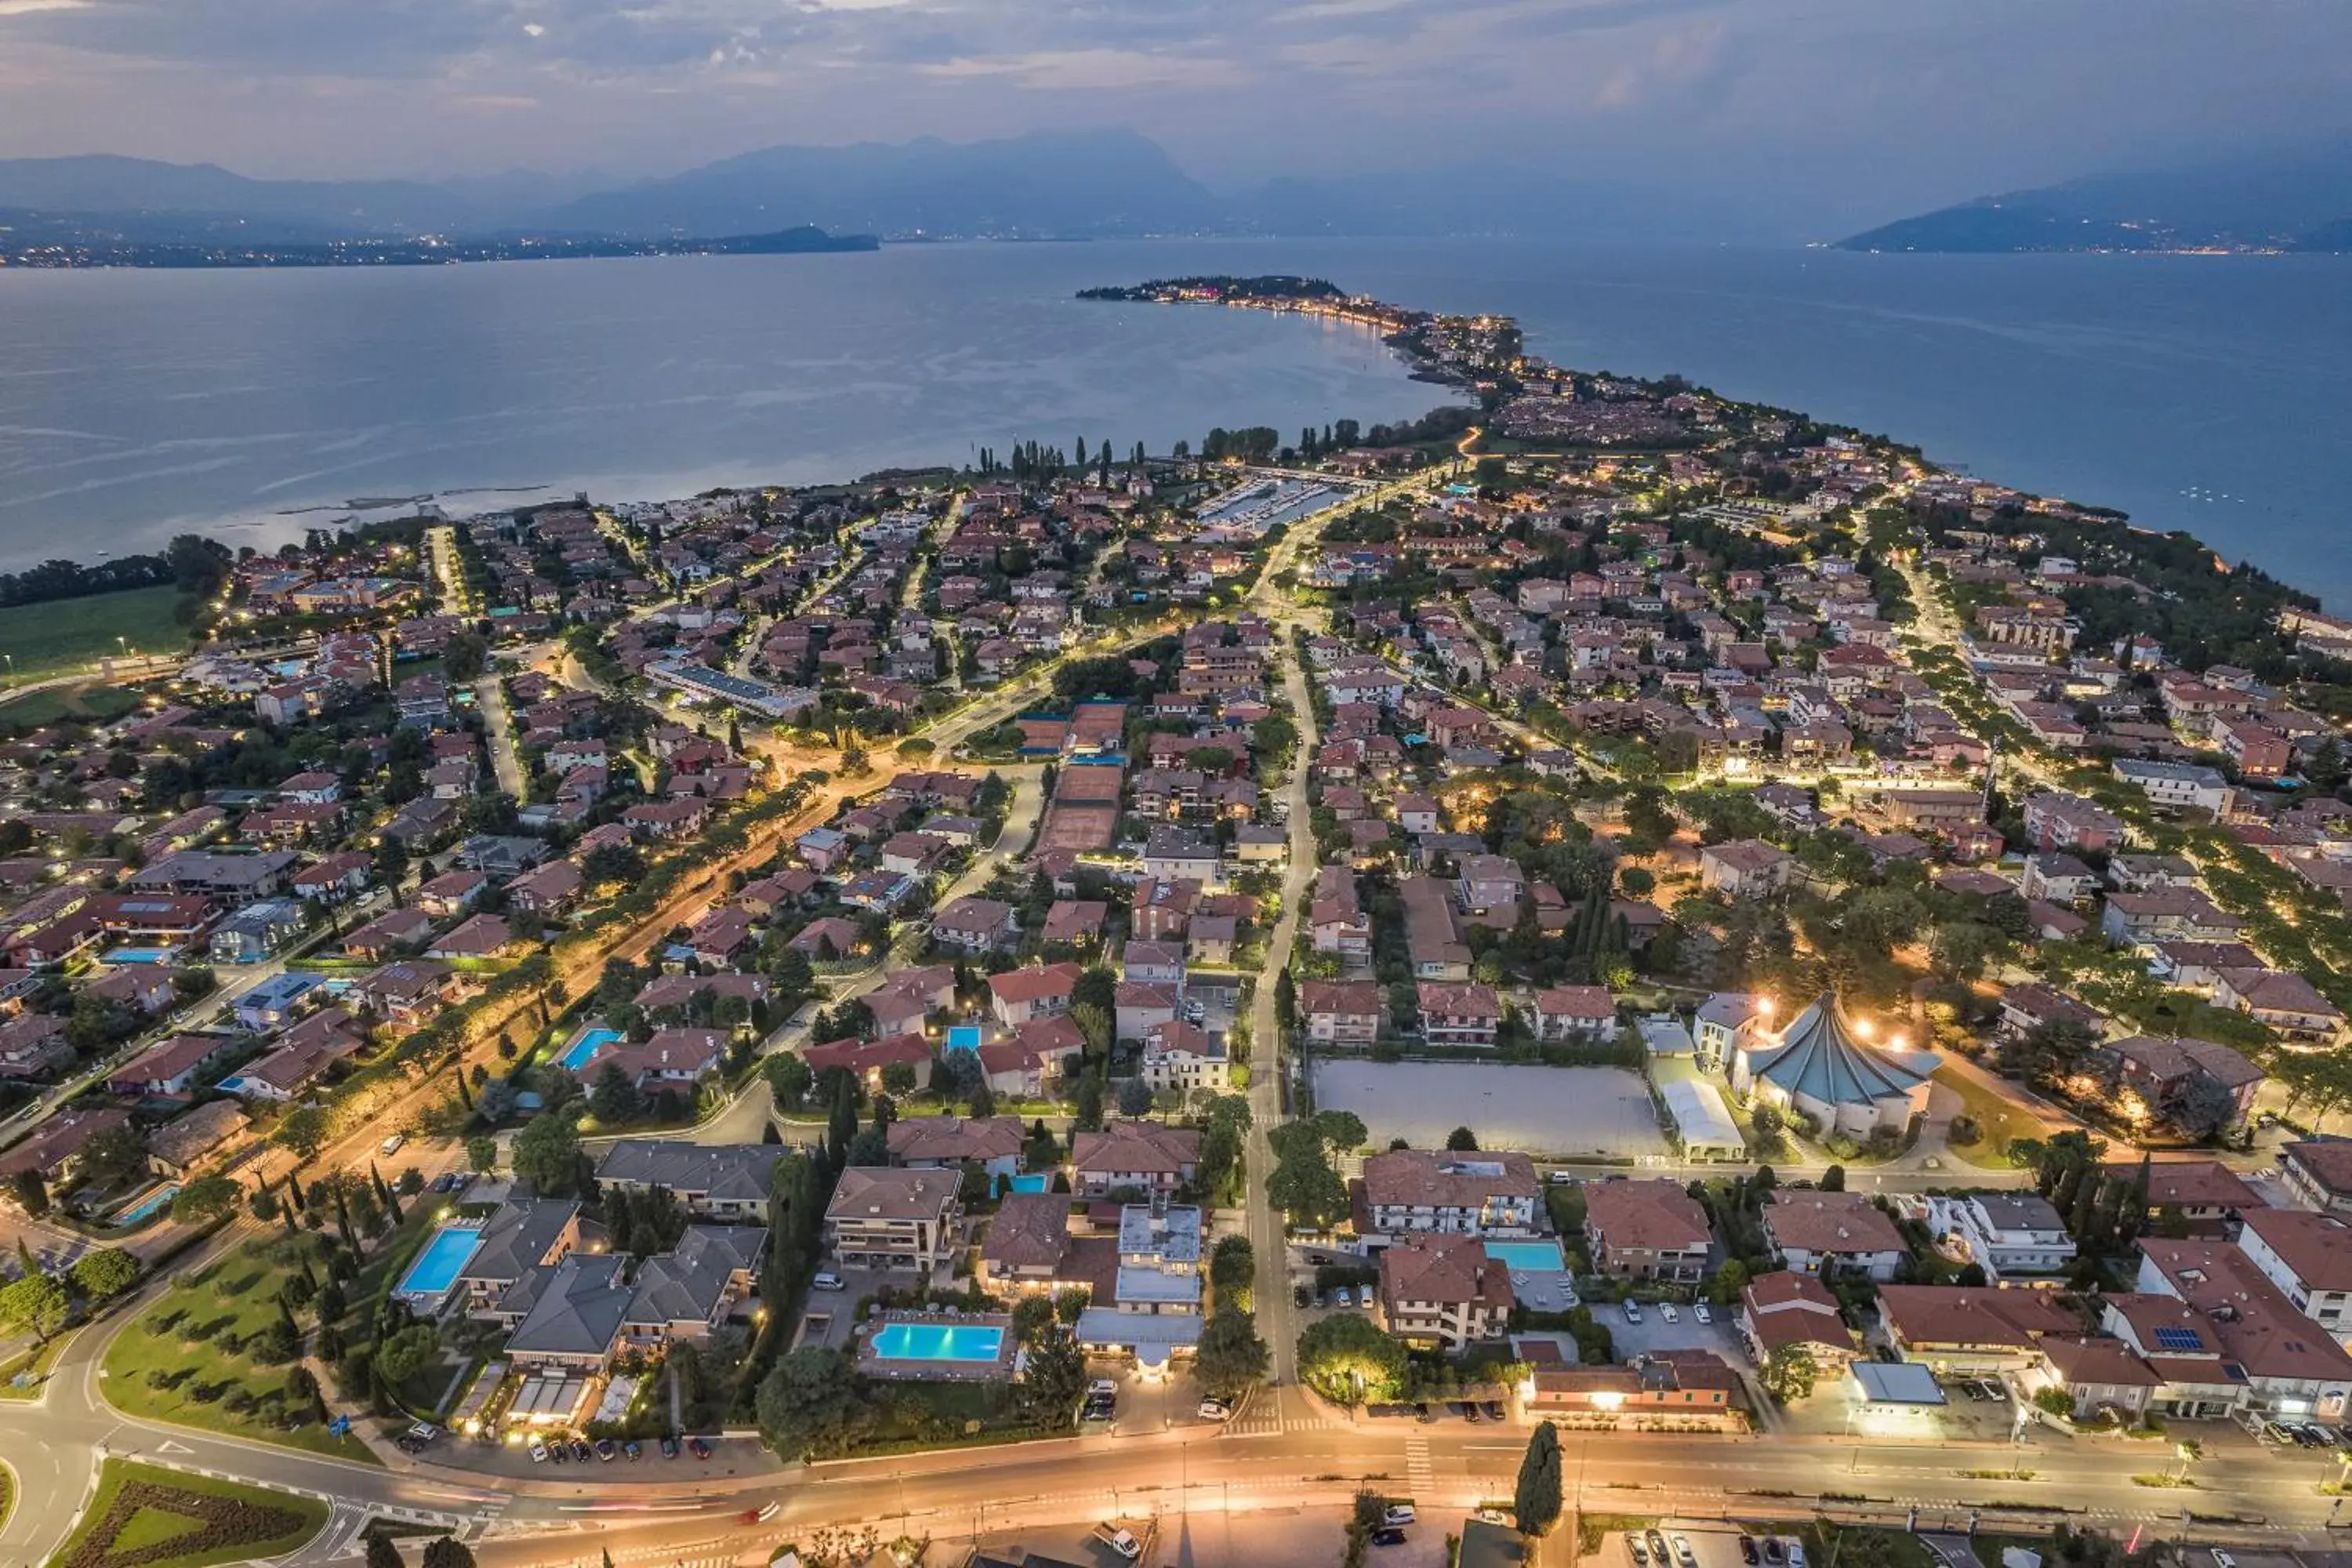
(2203, 394)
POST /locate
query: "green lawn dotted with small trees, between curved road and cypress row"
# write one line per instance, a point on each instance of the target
(182, 1336)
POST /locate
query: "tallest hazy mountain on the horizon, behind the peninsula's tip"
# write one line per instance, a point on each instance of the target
(1041, 185)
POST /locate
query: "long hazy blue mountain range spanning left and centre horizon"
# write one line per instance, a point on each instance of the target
(1038, 187)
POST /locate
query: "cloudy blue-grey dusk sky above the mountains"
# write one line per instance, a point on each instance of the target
(1890, 105)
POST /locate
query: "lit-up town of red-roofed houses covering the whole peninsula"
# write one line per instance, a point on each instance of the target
(1302, 979)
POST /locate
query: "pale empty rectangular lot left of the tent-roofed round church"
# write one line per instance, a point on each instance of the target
(1542, 1111)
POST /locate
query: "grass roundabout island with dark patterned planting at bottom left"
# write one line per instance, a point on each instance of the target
(142, 1508)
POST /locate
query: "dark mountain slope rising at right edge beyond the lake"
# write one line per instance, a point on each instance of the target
(2278, 201)
